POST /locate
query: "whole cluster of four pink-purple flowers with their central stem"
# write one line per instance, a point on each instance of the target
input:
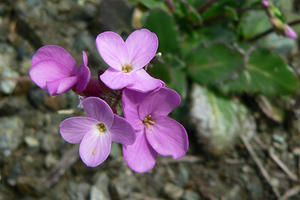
(145, 130)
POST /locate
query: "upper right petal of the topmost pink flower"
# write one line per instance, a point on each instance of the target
(142, 46)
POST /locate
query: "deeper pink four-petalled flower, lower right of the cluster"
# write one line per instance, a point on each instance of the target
(156, 133)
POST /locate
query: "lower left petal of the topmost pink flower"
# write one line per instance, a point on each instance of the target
(116, 80)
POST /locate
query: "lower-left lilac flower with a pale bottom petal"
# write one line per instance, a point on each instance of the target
(96, 131)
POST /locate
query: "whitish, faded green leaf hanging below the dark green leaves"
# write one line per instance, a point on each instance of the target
(218, 120)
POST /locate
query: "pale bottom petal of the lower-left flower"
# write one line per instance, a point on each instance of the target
(95, 148)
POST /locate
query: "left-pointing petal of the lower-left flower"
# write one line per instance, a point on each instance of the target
(73, 129)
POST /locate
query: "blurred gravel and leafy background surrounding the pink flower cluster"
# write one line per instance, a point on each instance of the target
(236, 65)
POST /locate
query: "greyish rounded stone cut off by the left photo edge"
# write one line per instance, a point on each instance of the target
(11, 132)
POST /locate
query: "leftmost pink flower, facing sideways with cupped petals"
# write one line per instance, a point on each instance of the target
(55, 70)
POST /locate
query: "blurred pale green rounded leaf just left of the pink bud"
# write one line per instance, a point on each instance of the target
(253, 23)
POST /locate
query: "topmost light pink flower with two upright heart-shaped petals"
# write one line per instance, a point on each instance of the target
(127, 59)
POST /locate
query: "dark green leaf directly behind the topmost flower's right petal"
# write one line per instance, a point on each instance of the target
(164, 26)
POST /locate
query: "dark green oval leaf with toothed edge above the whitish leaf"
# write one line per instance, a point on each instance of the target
(210, 65)
